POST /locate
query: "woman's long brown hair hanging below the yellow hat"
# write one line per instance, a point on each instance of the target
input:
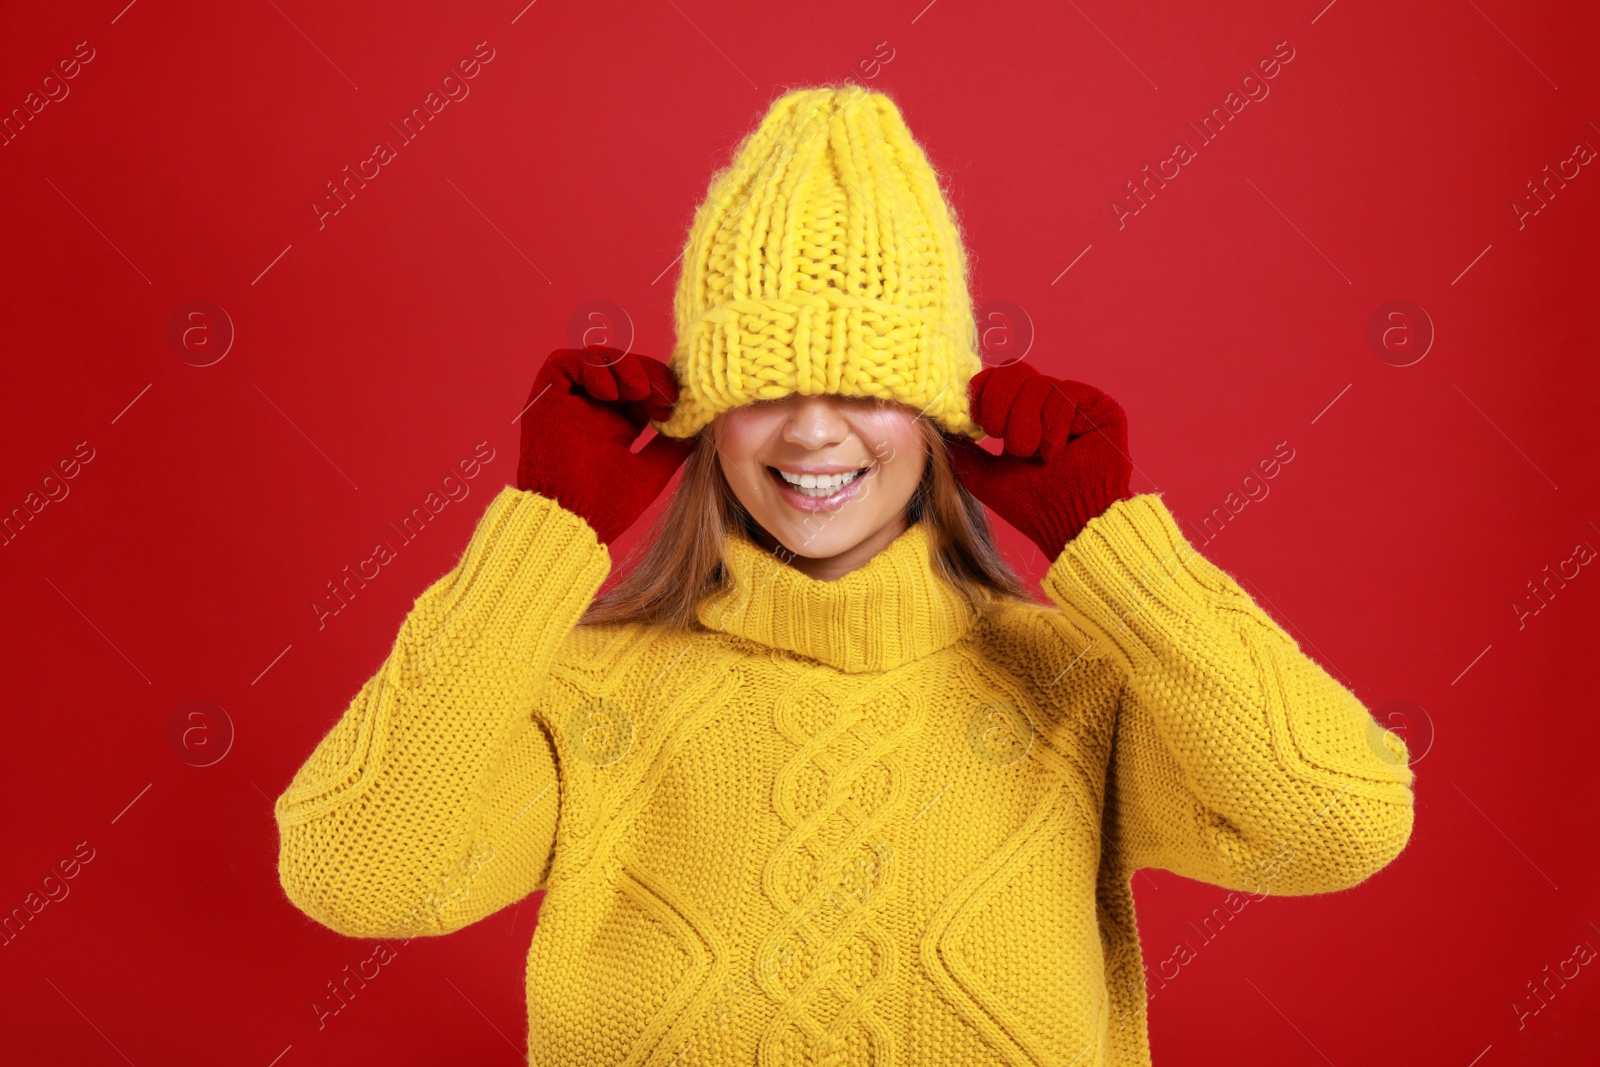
(679, 562)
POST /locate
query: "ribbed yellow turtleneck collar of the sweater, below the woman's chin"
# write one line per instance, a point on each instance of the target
(884, 615)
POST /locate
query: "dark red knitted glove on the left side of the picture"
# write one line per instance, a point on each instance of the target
(586, 410)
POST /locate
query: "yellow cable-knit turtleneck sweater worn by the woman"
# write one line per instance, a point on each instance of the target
(844, 823)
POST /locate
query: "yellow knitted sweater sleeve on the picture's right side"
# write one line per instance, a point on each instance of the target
(1236, 759)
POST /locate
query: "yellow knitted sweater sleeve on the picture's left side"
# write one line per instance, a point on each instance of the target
(433, 802)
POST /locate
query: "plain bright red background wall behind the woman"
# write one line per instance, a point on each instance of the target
(378, 351)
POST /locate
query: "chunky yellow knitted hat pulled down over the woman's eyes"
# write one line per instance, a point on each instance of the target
(825, 260)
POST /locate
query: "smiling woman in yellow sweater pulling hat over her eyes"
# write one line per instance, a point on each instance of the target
(818, 781)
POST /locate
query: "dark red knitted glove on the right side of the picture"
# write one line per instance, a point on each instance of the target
(1065, 460)
